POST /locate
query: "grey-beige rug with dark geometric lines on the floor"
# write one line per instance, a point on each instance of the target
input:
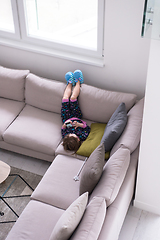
(18, 187)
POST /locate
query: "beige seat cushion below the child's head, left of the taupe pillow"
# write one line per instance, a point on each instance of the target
(57, 186)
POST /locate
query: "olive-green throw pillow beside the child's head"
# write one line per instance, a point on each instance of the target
(93, 140)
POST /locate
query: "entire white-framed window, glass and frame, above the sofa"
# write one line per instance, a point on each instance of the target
(68, 25)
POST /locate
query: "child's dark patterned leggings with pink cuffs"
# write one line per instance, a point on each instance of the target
(70, 109)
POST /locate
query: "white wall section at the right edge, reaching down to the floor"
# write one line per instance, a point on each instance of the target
(148, 178)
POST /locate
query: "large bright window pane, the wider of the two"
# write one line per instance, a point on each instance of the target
(72, 22)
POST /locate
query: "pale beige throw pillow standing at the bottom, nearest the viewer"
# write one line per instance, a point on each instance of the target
(70, 219)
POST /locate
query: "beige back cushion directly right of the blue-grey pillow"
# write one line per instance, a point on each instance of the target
(131, 135)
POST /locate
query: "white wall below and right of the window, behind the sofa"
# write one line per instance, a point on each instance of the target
(126, 53)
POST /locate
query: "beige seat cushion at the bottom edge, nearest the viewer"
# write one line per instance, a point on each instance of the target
(36, 222)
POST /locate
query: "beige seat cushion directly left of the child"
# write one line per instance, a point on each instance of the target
(35, 129)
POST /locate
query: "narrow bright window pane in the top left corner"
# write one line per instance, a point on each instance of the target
(6, 16)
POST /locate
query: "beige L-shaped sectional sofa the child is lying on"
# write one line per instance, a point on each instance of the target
(61, 207)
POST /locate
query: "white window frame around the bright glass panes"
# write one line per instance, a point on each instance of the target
(21, 33)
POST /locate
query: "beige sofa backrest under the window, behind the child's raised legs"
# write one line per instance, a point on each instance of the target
(96, 104)
